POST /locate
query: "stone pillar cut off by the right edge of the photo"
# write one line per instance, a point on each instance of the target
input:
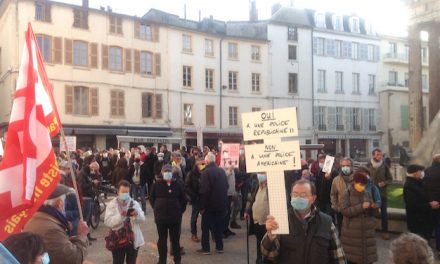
(434, 72)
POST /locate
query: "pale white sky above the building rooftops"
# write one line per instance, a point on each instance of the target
(388, 16)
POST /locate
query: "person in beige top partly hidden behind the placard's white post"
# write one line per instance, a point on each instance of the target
(258, 210)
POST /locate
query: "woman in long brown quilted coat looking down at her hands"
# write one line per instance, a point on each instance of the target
(358, 226)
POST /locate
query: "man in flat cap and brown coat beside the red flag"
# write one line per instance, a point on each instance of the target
(50, 223)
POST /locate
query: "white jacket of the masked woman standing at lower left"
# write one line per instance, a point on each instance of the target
(114, 220)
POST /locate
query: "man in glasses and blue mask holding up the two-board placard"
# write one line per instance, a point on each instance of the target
(312, 236)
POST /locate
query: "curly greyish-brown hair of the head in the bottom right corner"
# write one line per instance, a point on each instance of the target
(410, 248)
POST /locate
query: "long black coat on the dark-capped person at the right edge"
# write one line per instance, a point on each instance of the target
(419, 216)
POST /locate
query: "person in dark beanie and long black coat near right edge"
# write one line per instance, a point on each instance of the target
(419, 207)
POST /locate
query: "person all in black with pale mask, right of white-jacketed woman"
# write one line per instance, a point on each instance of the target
(168, 201)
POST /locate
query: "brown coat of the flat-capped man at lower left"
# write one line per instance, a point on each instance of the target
(61, 248)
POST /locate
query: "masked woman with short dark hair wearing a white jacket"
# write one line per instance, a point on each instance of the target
(117, 211)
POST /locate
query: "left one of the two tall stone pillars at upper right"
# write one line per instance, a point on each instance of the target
(415, 87)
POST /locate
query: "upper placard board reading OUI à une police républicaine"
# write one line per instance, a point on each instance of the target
(275, 123)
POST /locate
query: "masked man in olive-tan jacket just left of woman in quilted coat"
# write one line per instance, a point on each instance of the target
(339, 187)
